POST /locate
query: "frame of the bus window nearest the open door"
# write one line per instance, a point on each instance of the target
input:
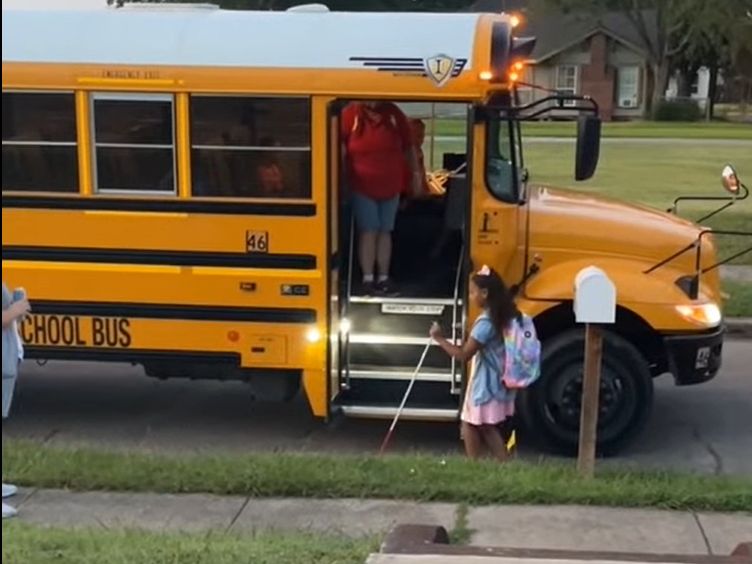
(309, 99)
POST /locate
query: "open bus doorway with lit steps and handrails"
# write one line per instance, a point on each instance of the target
(377, 338)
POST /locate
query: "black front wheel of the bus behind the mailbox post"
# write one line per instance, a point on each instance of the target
(550, 409)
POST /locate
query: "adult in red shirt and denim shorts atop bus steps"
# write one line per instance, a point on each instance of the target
(379, 158)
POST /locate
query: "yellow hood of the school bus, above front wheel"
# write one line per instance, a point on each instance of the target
(566, 221)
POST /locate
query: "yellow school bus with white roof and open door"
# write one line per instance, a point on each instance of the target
(134, 216)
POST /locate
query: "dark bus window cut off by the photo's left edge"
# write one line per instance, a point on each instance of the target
(39, 142)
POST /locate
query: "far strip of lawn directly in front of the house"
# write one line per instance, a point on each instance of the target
(626, 129)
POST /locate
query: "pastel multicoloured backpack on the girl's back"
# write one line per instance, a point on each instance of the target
(522, 354)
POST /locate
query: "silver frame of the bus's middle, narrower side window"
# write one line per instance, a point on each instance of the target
(138, 97)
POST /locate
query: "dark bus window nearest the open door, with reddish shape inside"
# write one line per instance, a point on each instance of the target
(246, 147)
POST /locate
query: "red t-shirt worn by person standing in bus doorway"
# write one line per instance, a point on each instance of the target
(375, 143)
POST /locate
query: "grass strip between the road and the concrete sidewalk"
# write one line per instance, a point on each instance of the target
(422, 478)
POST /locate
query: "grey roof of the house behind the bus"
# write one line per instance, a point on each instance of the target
(556, 32)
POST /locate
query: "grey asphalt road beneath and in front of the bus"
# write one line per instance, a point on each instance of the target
(706, 429)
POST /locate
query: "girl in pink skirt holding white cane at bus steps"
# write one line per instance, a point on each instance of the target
(488, 403)
